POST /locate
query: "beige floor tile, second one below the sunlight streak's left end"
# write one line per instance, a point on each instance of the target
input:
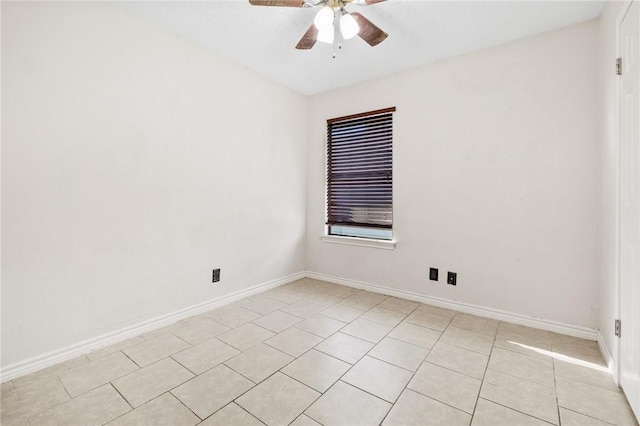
(530, 398)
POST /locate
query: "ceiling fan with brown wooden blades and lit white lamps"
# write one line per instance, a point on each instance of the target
(333, 21)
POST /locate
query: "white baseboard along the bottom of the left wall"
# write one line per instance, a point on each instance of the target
(48, 359)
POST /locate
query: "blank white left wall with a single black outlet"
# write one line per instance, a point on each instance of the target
(133, 163)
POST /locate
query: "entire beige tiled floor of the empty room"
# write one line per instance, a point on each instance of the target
(311, 353)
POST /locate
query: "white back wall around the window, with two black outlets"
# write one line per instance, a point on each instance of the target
(495, 178)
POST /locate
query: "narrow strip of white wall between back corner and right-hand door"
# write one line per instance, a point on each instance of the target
(608, 102)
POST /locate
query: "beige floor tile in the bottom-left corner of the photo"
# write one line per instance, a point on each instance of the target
(30, 399)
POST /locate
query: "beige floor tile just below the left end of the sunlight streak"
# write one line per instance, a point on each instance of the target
(523, 366)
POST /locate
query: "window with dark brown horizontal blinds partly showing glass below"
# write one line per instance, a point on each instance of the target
(359, 175)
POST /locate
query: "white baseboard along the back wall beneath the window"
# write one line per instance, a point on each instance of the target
(557, 327)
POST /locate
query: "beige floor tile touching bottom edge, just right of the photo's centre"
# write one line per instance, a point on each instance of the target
(346, 405)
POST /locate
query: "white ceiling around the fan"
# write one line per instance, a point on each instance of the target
(420, 32)
